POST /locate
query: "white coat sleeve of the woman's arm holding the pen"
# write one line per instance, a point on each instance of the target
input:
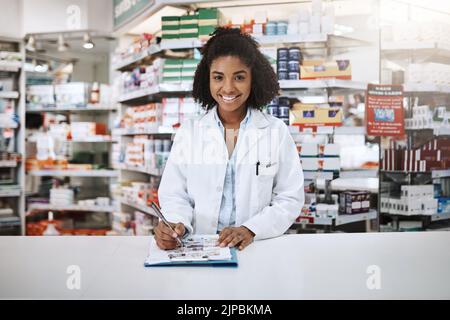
(173, 196)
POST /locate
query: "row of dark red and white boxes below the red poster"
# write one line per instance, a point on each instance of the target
(433, 155)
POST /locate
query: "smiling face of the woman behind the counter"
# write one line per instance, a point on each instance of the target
(230, 83)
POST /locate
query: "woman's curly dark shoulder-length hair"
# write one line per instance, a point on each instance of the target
(231, 42)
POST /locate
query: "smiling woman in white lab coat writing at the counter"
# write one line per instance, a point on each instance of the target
(235, 170)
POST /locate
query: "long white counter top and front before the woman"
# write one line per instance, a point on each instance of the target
(411, 265)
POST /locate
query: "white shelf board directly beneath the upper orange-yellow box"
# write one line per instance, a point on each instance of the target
(322, 83)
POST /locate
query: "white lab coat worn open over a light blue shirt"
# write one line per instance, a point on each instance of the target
(192, 183)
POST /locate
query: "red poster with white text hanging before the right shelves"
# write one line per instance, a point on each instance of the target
(384, 110)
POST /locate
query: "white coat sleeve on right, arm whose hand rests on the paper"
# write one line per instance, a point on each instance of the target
(287, 195)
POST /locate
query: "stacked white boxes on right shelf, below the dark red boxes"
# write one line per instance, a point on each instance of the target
(414, 200)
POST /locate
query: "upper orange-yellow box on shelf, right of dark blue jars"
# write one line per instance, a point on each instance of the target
(320, 69)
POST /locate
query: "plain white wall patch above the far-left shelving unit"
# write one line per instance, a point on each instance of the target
(11, 19)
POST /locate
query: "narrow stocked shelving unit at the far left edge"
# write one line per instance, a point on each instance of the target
(12, 191)
